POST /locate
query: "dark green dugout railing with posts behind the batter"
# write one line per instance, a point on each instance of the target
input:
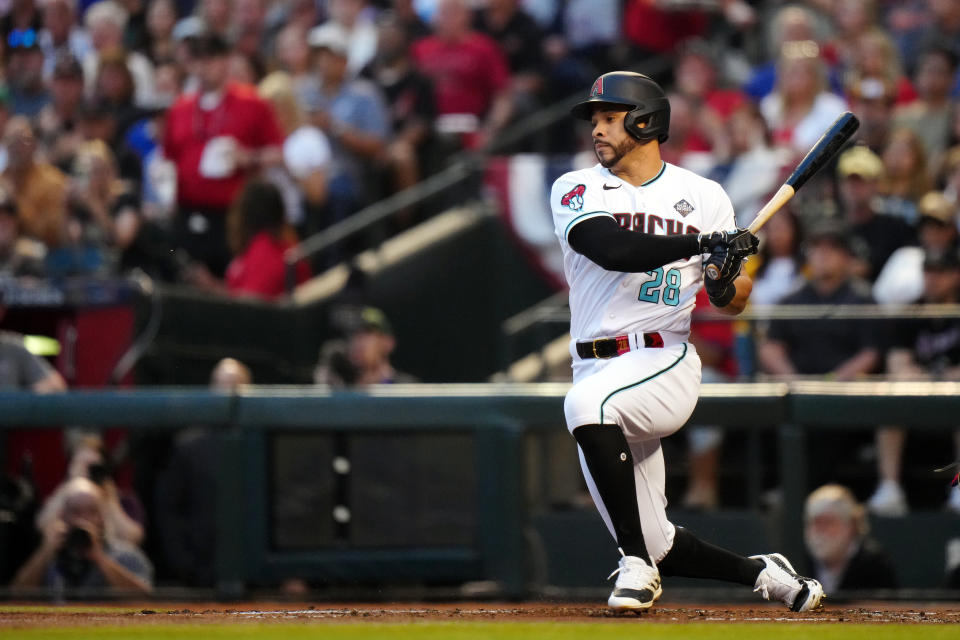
(497, 417)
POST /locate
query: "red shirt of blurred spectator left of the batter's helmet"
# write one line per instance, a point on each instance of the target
(467, 73)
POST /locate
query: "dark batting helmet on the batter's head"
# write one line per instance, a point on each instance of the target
(644, 97)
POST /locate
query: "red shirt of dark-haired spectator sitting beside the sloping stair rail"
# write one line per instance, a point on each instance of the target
(261, 270)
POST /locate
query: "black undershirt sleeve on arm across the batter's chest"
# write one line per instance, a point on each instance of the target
(606, 243)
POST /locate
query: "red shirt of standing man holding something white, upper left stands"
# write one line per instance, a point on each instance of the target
(241, 115)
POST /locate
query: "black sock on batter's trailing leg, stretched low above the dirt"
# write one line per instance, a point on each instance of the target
(691, 557)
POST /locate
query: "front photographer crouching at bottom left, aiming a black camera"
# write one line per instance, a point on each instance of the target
(76, 552)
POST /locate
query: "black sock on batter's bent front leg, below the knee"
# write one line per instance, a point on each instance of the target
(610, 463)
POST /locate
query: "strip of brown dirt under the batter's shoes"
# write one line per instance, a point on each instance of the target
(27, 616)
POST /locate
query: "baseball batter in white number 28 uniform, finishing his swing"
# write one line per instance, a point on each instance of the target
(634, 232)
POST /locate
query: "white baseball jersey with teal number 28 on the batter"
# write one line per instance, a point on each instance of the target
(609, 303)
